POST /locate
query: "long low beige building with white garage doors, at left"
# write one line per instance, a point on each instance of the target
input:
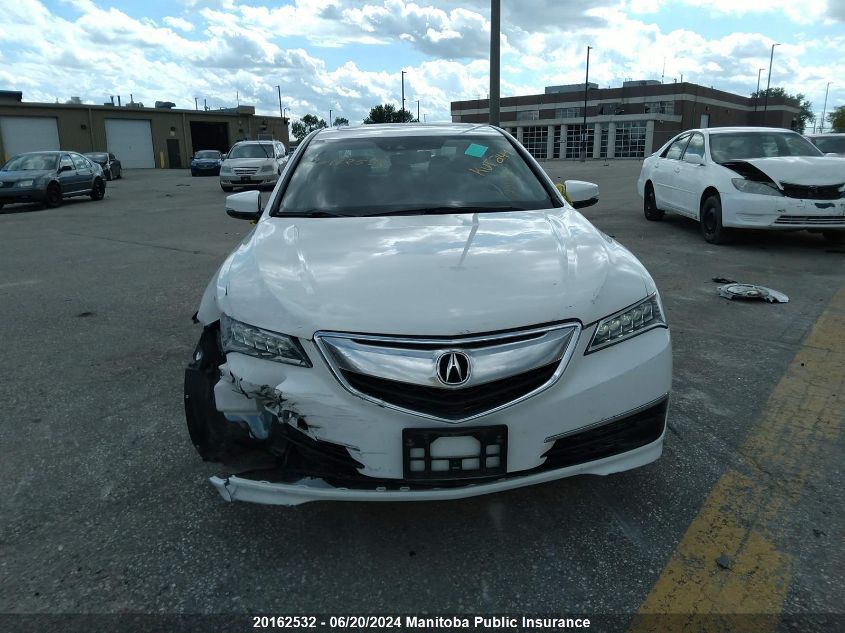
(139, 137)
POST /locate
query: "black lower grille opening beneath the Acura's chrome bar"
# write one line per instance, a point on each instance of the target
(452, 404)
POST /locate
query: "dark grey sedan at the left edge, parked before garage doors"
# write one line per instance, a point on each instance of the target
(49, 178)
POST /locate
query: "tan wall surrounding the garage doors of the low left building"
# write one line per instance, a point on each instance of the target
(82, 128)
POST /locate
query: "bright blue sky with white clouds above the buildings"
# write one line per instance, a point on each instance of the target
(347, 56)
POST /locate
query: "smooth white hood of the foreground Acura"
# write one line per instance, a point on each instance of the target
(439, 275)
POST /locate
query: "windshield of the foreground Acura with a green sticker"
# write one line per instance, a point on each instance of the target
(412, 175)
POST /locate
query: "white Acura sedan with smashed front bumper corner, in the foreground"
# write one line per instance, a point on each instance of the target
(419, 315)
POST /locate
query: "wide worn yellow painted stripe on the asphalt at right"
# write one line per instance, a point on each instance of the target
(745, 513)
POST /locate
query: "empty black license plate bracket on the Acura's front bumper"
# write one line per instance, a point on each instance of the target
(488, 456)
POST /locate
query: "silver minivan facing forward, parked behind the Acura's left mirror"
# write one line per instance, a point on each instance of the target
(253, 164)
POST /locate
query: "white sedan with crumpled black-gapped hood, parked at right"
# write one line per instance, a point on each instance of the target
(746, 177)
